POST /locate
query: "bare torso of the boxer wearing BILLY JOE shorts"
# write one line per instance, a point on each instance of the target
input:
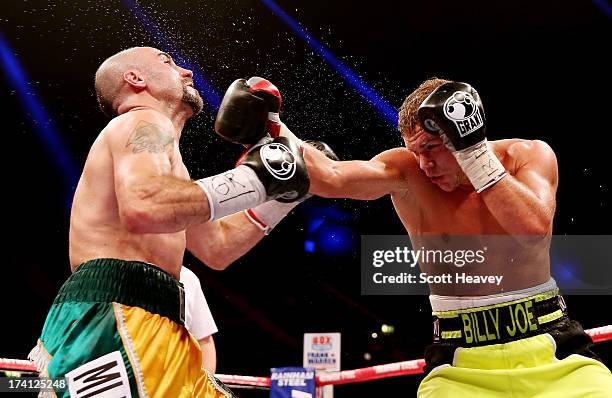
(425, 209)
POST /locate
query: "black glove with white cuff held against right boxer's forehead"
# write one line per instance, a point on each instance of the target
(454, 112)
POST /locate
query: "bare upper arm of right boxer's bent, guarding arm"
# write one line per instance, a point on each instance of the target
(538, 171)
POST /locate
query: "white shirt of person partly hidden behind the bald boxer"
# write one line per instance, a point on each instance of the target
(198, 319)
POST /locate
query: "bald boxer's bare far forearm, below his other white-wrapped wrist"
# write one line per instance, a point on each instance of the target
(221, 242)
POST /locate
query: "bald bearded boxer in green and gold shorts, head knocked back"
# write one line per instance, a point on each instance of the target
(117, 325)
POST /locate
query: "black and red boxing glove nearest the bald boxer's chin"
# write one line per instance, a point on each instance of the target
(249, 111)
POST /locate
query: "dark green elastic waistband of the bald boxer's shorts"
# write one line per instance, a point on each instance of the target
(132, 283)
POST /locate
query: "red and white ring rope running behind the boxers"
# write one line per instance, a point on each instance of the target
(403, 368)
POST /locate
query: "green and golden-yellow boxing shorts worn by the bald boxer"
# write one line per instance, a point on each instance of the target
(116, 329)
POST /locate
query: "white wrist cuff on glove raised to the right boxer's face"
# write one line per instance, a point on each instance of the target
(480, 165)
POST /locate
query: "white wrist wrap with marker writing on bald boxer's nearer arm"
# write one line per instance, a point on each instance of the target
(232, 191)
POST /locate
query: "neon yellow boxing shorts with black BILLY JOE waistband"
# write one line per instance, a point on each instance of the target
(522, 348)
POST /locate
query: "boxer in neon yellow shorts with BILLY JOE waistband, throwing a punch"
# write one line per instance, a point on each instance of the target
(448, 181)
